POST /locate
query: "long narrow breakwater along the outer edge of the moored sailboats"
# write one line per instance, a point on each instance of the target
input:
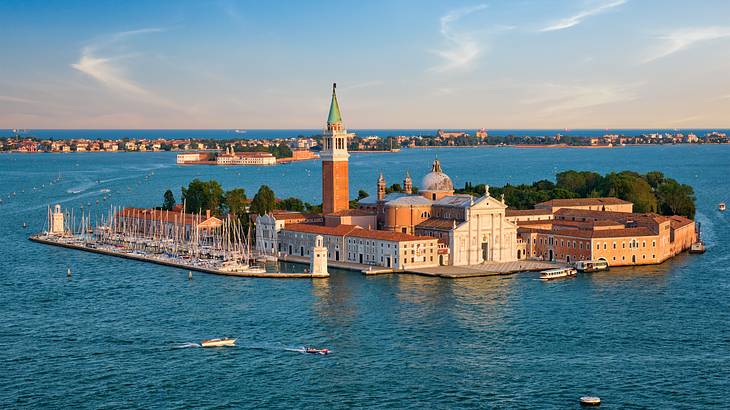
(150, 259)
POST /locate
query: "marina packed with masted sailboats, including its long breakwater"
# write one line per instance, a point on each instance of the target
(195, 245)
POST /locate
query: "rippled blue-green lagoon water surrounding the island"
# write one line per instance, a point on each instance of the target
(120, 333)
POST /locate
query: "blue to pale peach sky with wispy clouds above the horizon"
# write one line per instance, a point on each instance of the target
(228, 64)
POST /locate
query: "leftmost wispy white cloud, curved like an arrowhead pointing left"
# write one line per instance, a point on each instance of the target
(97, 62)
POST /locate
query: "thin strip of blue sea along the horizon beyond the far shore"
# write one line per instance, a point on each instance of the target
(269, 134)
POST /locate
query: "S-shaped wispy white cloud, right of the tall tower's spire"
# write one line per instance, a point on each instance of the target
(464, 48)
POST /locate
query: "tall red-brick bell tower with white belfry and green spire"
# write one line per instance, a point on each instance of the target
(335, 188)
